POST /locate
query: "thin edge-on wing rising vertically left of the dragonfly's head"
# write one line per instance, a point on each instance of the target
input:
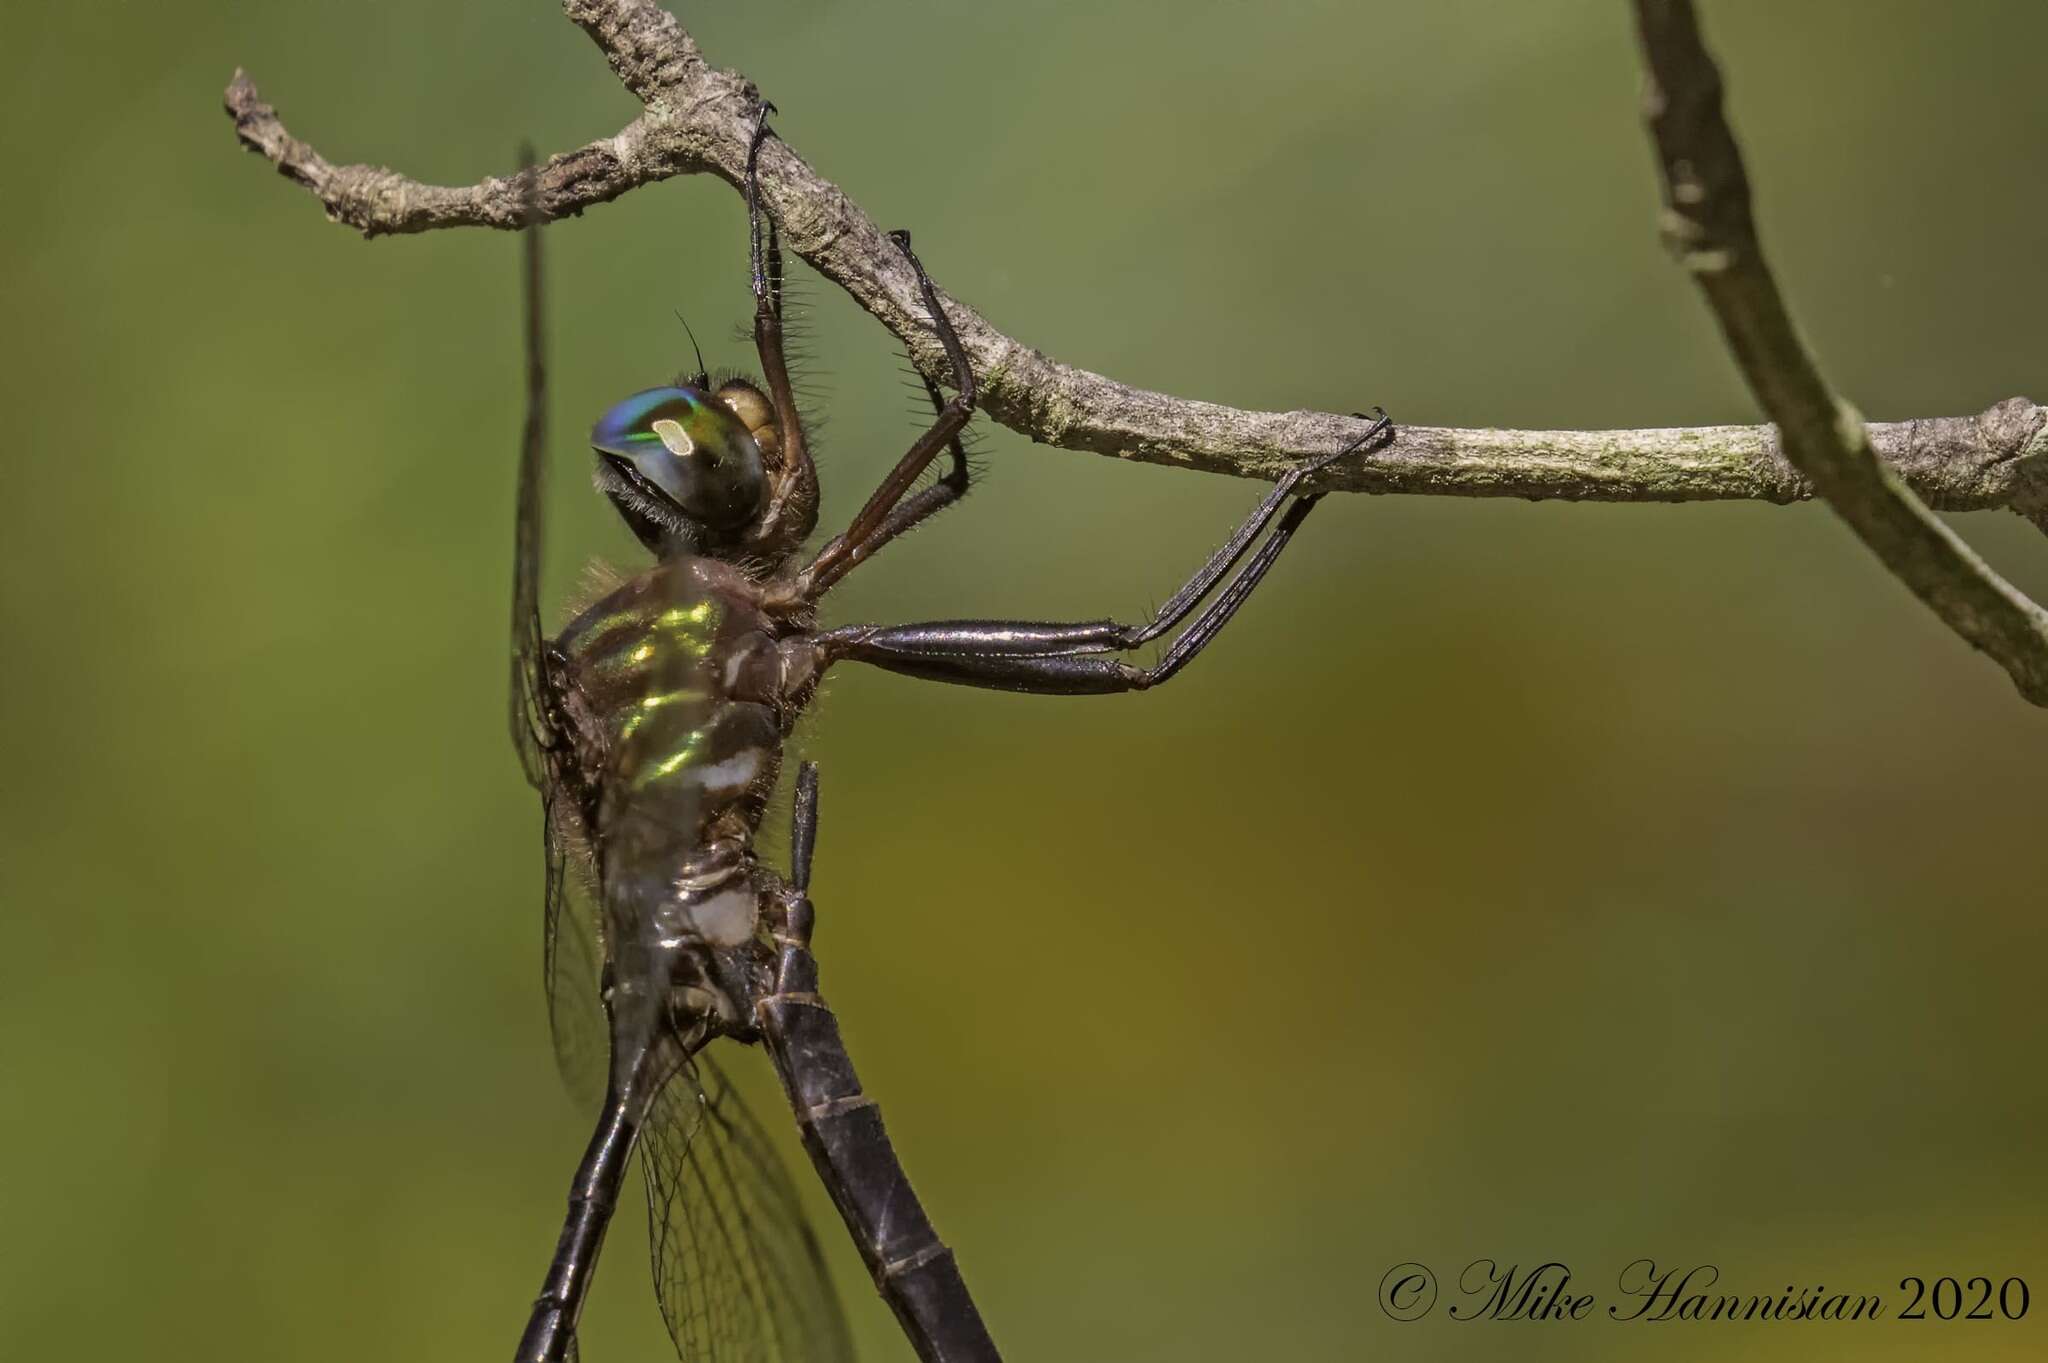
(531, 734)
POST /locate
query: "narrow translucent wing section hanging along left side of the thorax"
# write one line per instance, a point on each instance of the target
(574, 959)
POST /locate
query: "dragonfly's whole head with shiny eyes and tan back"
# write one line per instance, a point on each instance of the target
(687, 464)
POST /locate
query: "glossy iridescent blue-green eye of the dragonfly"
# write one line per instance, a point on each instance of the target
(689, 451)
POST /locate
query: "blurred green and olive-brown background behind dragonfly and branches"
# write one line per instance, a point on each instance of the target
(1510, 881)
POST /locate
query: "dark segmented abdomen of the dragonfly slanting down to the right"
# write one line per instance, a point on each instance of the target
(845, 1137)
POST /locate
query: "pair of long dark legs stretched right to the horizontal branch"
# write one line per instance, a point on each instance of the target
(1066, 660)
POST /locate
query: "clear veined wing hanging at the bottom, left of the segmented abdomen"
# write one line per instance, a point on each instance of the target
(736, 1266)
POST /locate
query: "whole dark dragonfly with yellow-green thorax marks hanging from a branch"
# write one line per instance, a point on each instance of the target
(652, 726)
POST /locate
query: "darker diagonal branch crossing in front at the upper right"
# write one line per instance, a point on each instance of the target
(1715, 236)
